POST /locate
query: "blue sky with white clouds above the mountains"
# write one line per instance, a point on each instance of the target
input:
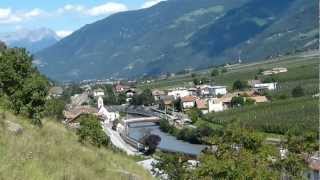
(62, 16)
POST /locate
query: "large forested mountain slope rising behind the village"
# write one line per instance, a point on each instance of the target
(179, 34)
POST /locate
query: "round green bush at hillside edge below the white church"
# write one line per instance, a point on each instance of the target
(91, 131)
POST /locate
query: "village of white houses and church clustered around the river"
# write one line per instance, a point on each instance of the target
(171, 104)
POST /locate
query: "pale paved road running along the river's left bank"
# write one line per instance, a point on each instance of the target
(118, 141)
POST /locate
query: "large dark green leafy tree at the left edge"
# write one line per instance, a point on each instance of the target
(22, 83)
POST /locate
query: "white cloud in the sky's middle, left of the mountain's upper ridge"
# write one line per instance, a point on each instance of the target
(107, 8)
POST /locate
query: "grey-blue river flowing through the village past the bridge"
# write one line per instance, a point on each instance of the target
(168, 142)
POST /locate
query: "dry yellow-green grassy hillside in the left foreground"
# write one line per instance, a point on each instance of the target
(53, 152)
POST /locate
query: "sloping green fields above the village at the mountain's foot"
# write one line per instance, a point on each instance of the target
(301, 71)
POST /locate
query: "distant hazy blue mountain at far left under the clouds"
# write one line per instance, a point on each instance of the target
(33, 40)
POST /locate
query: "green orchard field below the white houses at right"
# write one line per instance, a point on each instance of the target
(276, 117)
